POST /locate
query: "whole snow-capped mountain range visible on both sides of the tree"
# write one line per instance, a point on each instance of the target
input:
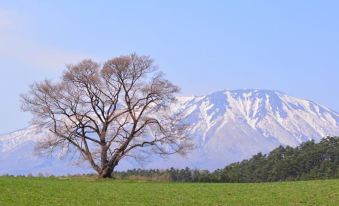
(227, 126)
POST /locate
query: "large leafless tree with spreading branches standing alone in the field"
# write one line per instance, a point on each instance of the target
(108, 112)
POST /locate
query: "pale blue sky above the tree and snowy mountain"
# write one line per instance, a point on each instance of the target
(202, 46)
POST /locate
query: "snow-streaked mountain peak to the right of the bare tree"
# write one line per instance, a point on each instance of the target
(230, 126)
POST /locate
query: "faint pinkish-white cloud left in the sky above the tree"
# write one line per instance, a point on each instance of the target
(17, 46)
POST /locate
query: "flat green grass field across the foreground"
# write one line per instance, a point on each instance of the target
(58, 191)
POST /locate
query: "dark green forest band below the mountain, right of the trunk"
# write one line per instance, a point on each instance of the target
(309, 161)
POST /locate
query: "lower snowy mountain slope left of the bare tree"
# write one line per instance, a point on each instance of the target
(18, 156)
